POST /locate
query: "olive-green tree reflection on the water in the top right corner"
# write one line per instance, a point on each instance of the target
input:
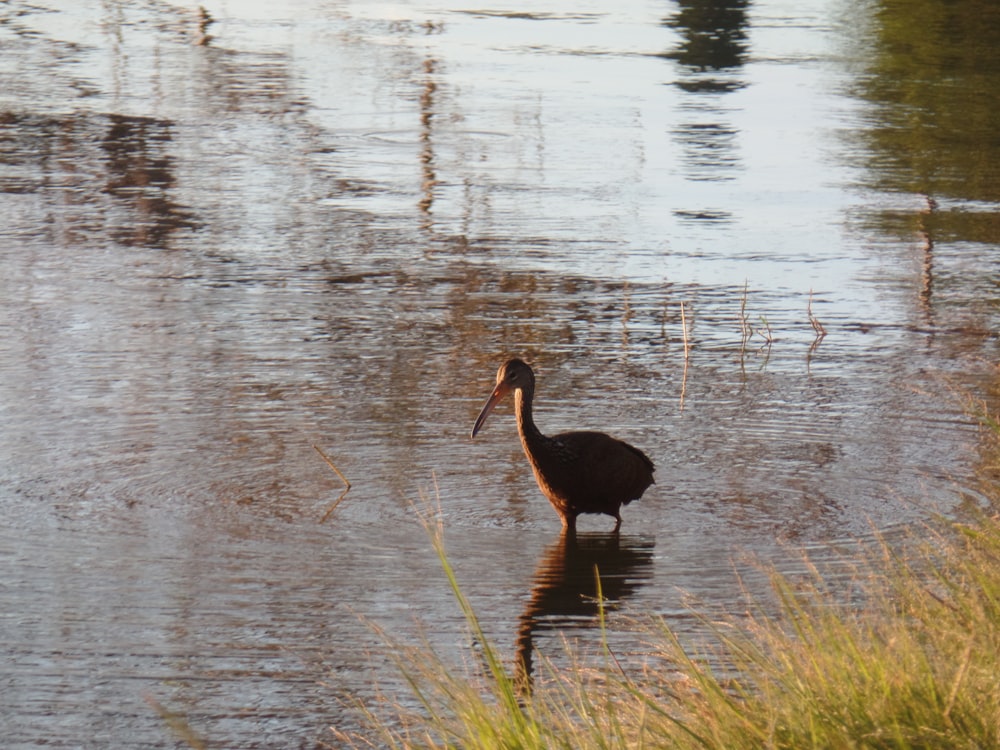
(932, 77)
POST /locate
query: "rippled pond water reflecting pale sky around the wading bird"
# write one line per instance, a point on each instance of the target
(232, 232)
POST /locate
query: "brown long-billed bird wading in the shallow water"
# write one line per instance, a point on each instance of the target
(579, 472)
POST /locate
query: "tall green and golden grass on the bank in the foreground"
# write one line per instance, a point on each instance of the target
(914, 662)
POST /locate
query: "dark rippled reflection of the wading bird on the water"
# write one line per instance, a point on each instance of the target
(564, 590)
